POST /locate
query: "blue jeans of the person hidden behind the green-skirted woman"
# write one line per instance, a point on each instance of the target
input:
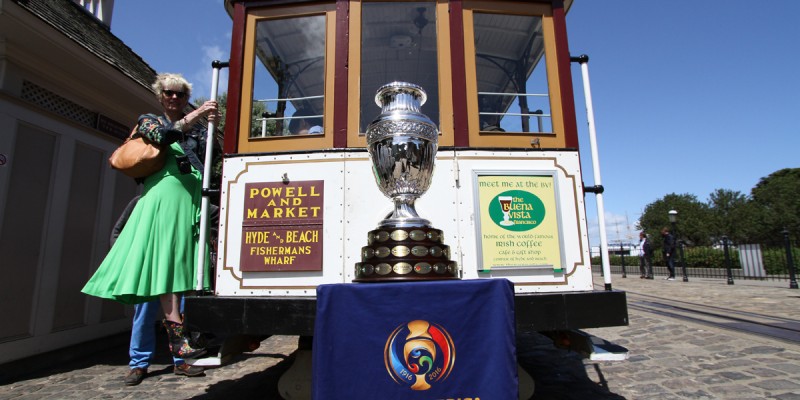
(143, 335)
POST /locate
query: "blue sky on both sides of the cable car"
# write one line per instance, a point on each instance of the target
(689, 96)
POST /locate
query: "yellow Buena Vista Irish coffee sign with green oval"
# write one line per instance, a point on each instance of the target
(518, 222)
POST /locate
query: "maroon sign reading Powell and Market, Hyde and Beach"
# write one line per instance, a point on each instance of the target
(282, 227)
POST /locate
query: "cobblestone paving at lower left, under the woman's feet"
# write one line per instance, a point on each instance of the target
(101, 377)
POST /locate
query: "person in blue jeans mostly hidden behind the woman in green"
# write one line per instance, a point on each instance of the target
(143, 335)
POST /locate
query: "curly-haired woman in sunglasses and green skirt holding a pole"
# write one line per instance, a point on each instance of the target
(156, 253)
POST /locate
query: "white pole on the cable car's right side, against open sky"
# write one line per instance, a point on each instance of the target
(601, 220)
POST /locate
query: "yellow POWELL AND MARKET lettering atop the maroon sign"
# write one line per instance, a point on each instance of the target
(283, 202)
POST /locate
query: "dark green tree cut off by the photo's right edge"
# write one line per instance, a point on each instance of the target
(777, 205)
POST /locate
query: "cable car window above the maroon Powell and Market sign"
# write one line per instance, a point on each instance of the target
(289, 77)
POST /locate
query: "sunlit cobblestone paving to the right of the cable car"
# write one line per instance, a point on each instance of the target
(676, 359)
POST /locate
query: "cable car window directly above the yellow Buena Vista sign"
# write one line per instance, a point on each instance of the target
(511, 74)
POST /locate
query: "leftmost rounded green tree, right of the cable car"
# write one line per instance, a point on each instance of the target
(694, 219)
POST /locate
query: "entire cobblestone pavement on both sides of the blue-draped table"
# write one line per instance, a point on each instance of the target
(668, 358)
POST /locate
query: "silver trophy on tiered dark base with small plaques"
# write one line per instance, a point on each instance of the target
(402, 144)
